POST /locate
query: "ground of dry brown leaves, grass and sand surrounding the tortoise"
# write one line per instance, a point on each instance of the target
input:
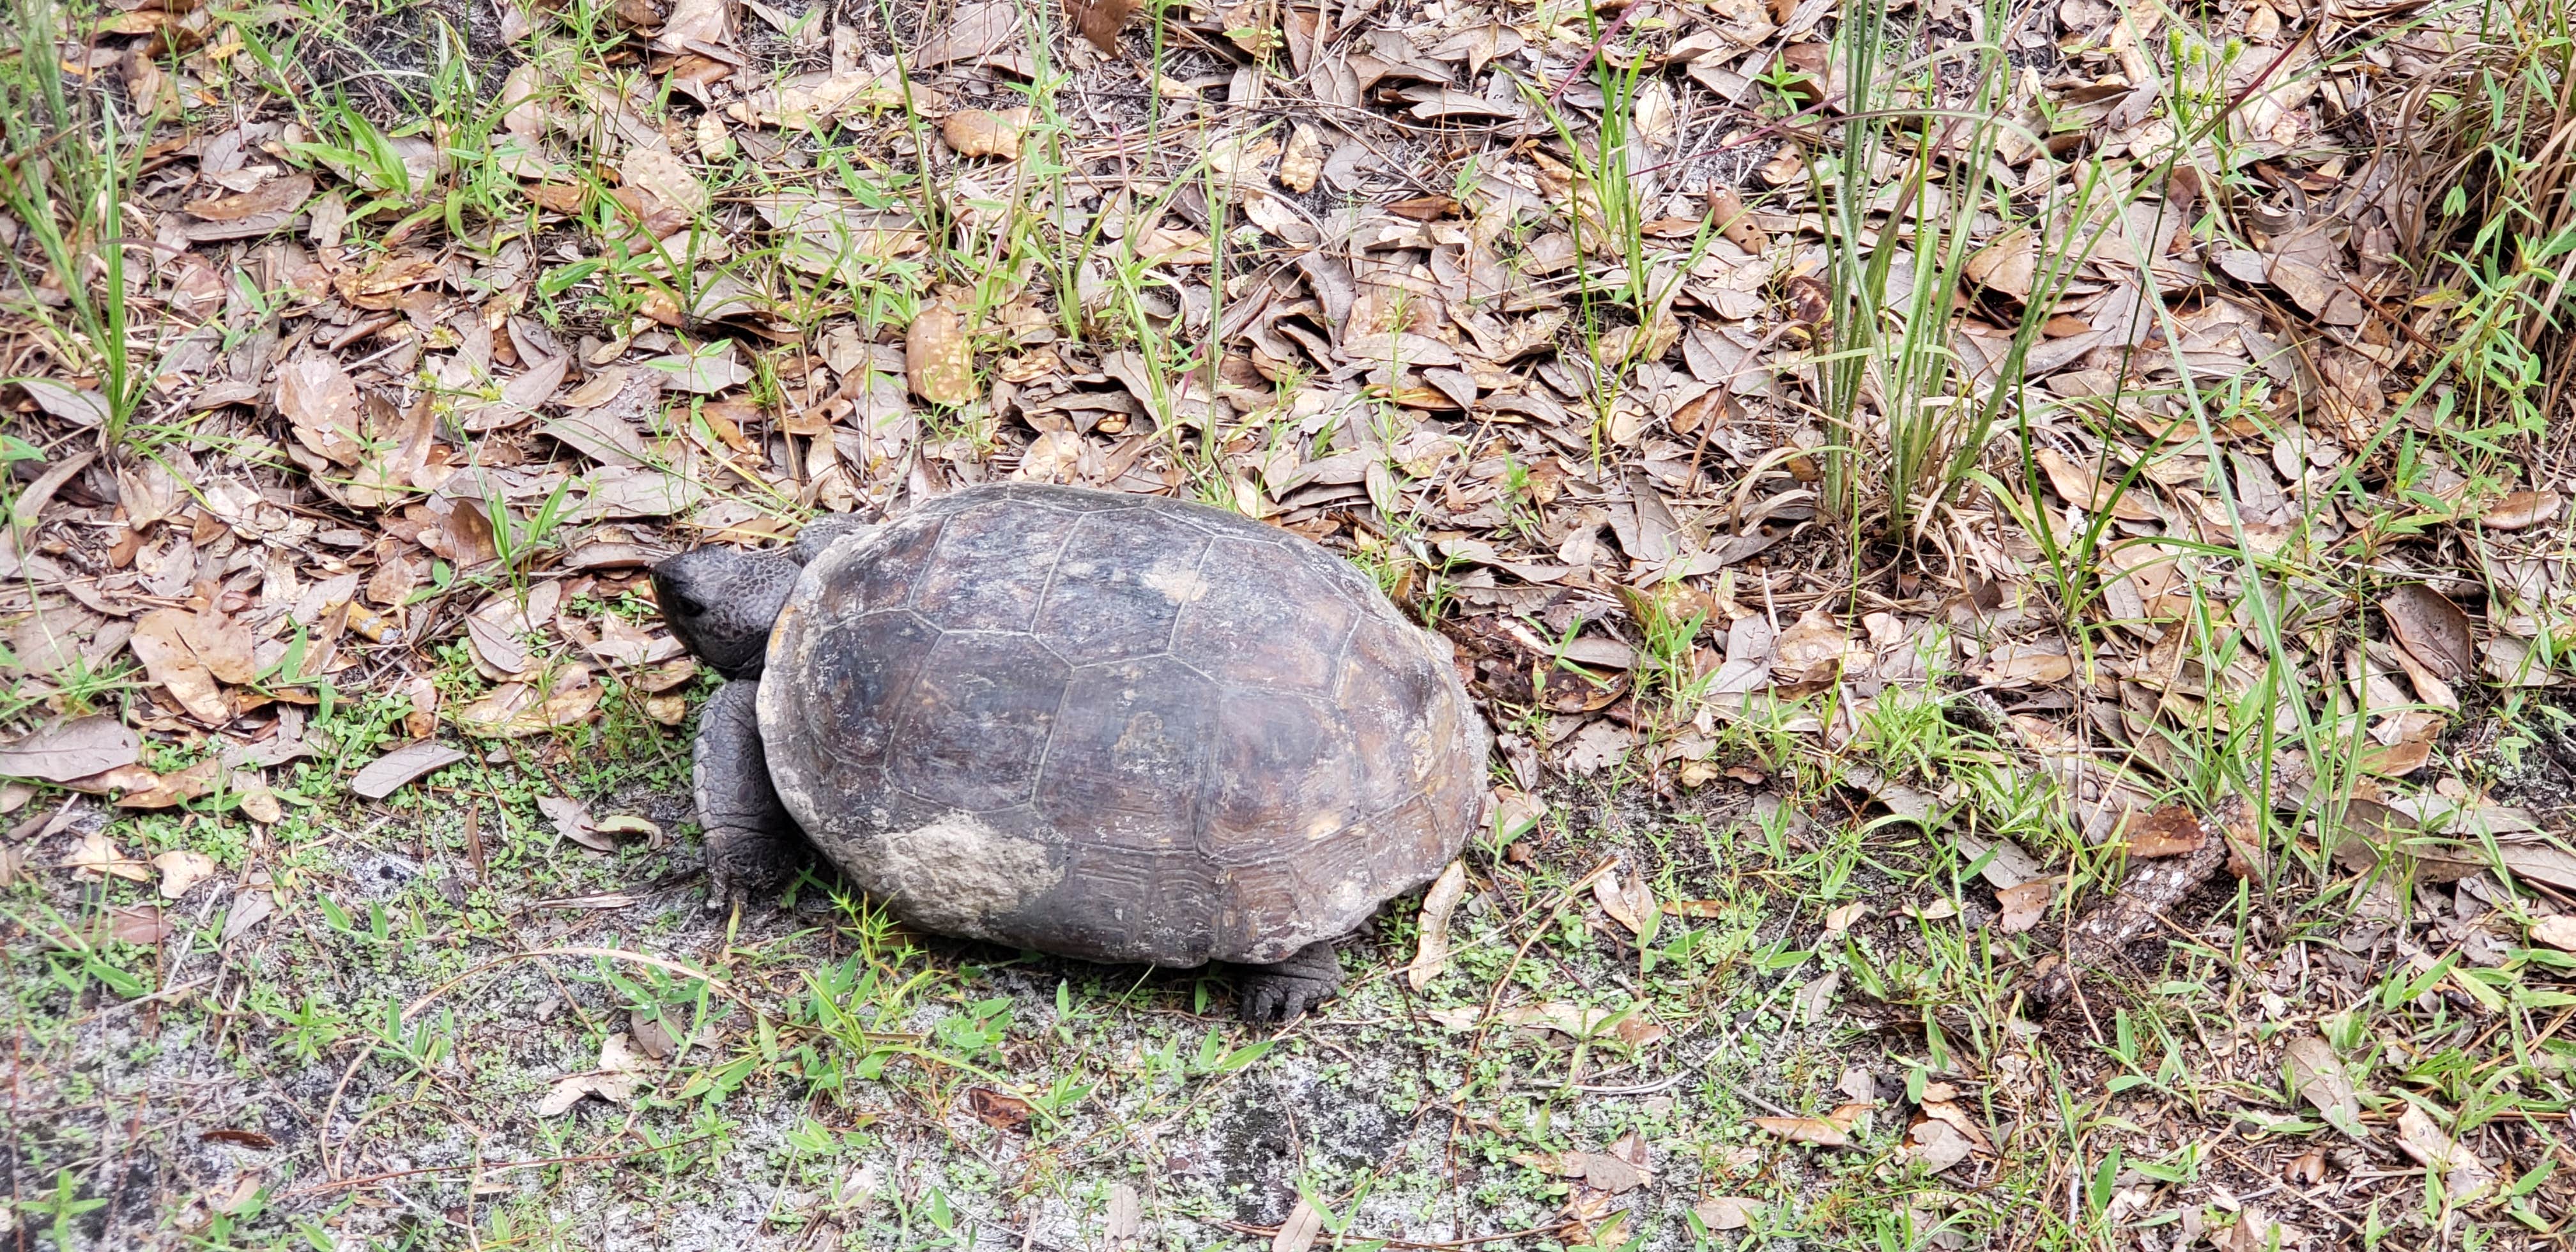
(1926, 496)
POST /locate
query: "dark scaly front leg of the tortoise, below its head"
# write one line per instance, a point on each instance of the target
(751, 841)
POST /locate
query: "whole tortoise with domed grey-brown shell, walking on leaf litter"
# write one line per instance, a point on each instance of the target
(1081, 723)
